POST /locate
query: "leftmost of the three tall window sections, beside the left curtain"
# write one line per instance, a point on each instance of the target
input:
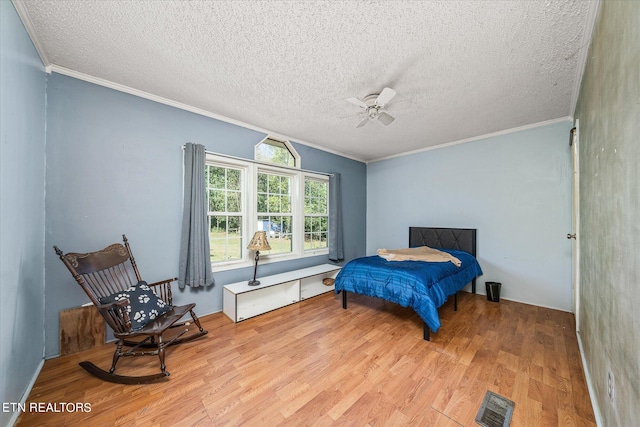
(226, 213)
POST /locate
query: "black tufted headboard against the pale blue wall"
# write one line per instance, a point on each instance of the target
(463, 239)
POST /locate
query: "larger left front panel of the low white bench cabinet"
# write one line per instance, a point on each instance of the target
(266, 299)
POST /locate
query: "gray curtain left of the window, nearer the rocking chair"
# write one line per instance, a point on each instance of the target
(195, 261)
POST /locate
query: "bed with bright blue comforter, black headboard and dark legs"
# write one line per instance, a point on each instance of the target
(423, 286)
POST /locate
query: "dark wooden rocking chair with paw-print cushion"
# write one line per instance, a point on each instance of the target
(132, 308)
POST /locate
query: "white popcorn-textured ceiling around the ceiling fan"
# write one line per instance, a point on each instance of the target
(461, 69)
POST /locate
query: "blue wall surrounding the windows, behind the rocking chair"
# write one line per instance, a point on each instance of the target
(114, 166)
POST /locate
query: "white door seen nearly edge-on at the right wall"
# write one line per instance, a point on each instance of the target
(574, 235)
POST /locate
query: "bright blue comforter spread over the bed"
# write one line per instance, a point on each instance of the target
(423, 286)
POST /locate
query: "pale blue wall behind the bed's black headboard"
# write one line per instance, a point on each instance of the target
(515, 189)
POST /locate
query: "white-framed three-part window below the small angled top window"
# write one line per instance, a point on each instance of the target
(244, 197)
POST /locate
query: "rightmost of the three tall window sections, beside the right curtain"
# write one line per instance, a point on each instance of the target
(316, 213)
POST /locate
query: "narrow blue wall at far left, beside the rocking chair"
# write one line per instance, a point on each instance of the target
(22, 124)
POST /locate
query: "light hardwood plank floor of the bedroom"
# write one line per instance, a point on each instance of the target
(315, 364)
